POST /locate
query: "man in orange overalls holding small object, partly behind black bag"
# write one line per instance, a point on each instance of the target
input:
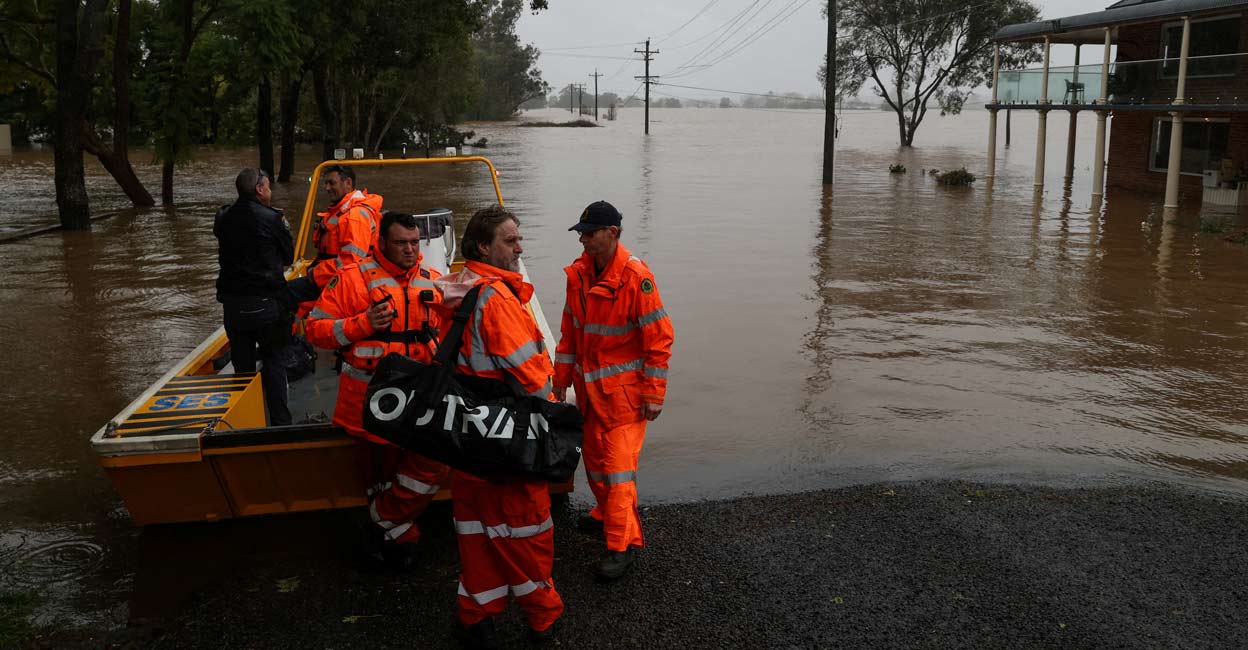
(369, 311)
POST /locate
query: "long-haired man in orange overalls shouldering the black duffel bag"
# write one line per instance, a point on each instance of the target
(505, 531)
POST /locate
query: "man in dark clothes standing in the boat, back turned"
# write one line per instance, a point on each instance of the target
(254, 246)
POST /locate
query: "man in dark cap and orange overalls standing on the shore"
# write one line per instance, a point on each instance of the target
(615, 349)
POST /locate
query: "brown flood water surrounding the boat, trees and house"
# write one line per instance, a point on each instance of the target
(889, 330)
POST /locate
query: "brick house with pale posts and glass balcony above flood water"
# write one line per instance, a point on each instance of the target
(1177, 92)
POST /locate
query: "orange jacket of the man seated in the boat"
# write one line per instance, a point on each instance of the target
(346, 234)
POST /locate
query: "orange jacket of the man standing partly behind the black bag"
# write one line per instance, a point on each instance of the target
(340, 323)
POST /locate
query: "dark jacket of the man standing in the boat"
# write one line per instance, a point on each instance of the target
(254, 245)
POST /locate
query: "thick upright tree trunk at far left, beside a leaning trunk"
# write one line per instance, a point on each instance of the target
(78, 51)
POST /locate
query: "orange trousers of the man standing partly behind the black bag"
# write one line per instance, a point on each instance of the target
(401, 486)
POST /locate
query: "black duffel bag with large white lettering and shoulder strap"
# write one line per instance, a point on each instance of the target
(480, 426)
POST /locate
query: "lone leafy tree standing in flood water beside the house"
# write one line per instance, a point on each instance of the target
(914, 52)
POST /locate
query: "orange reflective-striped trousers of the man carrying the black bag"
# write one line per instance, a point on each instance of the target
(506, 550)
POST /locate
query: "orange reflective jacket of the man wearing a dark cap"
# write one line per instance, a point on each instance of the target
(616, 339)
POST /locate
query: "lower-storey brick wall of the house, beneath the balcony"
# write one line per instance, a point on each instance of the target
(1131, 148)
